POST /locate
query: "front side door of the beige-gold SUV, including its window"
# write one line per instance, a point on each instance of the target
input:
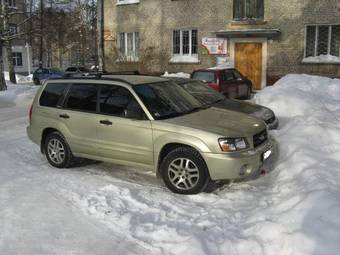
(124, 133)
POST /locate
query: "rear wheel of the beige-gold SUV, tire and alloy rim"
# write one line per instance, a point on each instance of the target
(57, 151)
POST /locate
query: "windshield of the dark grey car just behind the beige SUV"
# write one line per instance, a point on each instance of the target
(202, 92)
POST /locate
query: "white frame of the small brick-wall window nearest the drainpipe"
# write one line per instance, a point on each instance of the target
(123, 56)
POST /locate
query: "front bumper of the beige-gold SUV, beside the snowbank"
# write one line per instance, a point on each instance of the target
(242, 165)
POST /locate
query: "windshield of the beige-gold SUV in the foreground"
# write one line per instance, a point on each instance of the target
(167, 99)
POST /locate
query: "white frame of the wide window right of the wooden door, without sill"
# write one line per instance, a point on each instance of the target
(316, 39)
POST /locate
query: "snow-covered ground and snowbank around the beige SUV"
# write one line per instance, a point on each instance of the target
(105, 209)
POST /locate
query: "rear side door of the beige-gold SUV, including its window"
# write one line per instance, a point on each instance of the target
(78, 117)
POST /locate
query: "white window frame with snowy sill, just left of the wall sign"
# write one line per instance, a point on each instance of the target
(184, 58)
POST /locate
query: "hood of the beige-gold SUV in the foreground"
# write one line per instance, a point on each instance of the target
(220, 121)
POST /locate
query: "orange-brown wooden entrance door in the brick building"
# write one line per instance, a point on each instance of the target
(248, 60)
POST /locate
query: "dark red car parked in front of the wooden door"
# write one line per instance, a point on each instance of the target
(227, 81)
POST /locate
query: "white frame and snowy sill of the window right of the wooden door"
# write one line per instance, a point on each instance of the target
(320, 58)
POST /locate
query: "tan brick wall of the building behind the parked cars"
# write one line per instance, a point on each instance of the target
(155, 20)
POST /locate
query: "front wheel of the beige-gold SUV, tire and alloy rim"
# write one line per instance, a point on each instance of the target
(184, 171)
